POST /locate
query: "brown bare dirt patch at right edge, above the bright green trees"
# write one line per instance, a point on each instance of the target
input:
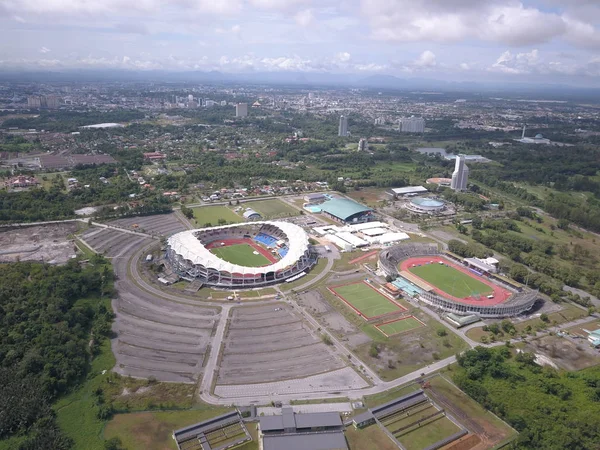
(565, 352)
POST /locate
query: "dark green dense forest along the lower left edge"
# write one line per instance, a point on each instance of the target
(48, 334)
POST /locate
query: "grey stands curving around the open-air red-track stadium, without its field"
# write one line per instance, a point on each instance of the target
(520, 301)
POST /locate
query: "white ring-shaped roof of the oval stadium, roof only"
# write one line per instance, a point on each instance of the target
(190, 248)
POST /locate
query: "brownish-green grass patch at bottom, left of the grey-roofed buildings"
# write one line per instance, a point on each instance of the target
(153, 430)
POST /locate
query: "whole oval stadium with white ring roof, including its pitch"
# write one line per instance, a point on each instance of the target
(241, 256)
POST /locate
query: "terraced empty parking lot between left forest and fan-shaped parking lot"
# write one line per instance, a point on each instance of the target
(160, 339)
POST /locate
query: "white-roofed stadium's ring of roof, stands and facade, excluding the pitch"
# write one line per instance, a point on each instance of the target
(189, 257)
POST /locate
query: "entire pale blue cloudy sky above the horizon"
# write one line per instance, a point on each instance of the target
(534, 40)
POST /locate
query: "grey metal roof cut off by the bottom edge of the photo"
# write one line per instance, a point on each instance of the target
(306, 441)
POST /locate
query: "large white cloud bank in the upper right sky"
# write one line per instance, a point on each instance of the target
(503, 21)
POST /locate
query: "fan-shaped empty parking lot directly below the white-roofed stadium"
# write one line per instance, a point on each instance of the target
(271, 343)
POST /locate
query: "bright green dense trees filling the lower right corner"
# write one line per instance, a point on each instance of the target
(551, 410)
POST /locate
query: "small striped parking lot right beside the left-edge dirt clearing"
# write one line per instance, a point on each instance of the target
(113, 243)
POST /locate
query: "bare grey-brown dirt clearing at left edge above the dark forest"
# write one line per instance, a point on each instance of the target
(47, 243)
